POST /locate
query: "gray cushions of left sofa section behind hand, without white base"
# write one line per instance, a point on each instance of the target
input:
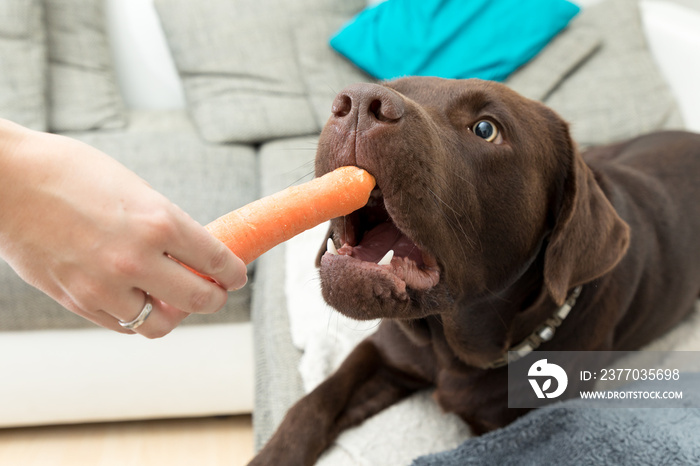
(57, 76)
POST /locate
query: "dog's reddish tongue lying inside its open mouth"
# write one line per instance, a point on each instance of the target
(382, 238)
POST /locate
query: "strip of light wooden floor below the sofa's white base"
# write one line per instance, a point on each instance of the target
(211, 442)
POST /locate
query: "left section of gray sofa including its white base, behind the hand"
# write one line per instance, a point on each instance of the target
(57, 74)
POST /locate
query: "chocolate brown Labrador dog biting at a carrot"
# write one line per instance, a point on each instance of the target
(485, 220)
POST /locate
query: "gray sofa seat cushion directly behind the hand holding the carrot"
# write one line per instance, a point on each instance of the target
(204, 180)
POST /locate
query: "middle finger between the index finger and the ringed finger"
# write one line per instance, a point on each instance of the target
(180, 288)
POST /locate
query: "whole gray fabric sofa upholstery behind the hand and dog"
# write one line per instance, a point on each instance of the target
(259, 77)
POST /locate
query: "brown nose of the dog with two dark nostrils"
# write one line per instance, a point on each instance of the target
(368, 105)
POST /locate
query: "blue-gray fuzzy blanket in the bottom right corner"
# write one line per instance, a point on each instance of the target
(572, 433)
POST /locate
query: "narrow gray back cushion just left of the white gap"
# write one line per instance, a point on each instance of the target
(83, 93)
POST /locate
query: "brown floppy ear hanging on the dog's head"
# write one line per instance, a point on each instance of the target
(589, 237)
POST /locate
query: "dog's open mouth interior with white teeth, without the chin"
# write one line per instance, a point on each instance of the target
(369, 239)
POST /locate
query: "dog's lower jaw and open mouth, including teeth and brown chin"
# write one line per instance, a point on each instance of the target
(377, 268)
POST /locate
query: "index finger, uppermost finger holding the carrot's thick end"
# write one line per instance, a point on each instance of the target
(201, 251)
